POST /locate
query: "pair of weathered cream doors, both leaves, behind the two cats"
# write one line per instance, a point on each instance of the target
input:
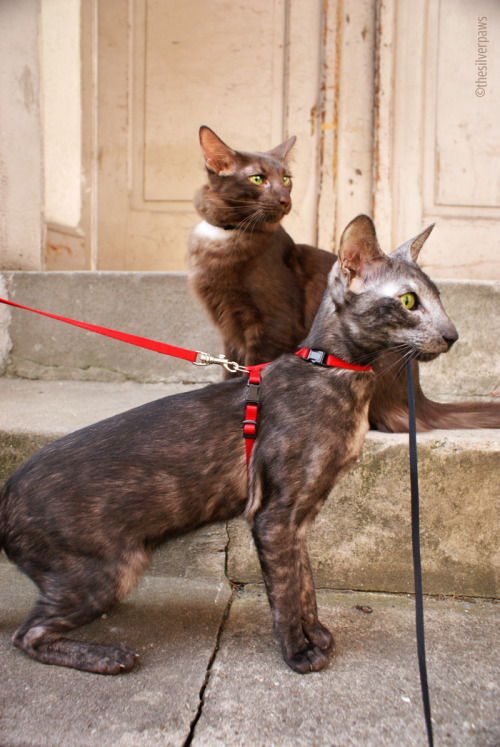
(395, 105)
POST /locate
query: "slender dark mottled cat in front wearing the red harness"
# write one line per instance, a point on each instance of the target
(83, 516)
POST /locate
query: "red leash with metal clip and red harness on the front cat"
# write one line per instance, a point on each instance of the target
(318, 357)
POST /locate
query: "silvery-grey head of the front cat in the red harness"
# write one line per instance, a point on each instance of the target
(387, 300)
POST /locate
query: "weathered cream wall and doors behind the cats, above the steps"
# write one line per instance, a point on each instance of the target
(381, 94)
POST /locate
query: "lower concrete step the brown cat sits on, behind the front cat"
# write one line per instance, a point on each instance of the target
(361, 538)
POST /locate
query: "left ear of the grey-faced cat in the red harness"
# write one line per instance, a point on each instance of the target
(359, 247)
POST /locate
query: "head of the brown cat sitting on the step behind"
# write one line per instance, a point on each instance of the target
(245, 190)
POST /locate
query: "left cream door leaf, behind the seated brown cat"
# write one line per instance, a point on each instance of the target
(167, 67)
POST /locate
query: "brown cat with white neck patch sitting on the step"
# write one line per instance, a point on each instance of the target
(262, 290)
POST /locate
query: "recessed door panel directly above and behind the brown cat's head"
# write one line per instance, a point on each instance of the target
(191, 68)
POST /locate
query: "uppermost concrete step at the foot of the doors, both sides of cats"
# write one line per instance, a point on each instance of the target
(160, 306)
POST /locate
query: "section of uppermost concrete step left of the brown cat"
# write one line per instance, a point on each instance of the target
(154, 305)
